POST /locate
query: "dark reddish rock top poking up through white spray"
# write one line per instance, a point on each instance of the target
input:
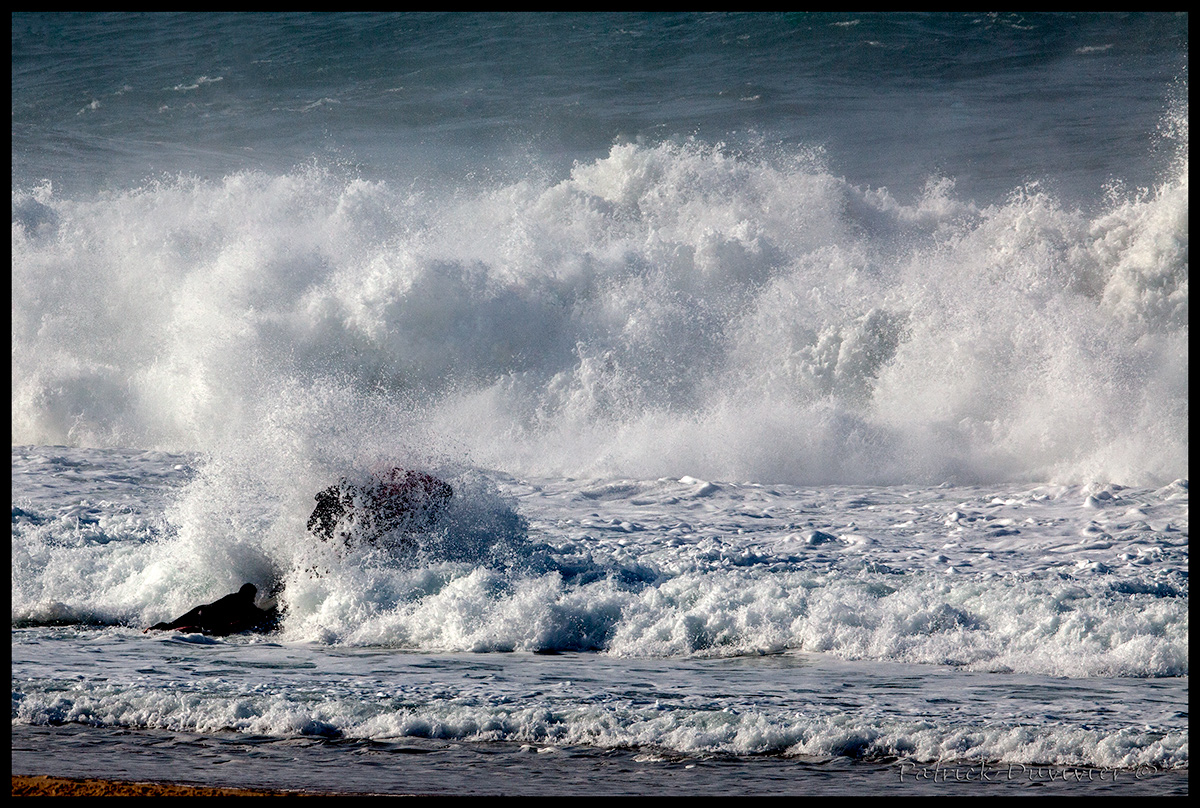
(399, 501)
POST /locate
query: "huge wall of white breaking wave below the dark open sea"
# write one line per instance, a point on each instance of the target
(667, 310)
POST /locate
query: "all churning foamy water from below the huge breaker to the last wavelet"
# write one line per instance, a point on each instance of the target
(1022, 626)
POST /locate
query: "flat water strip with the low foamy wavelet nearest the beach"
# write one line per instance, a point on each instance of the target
(895, 711)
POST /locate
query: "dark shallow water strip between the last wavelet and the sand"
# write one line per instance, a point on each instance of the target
(434, 768)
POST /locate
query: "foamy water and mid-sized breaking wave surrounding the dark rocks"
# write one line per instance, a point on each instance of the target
(1055, 580)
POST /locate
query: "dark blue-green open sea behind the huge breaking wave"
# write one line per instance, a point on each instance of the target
(991, 100)
